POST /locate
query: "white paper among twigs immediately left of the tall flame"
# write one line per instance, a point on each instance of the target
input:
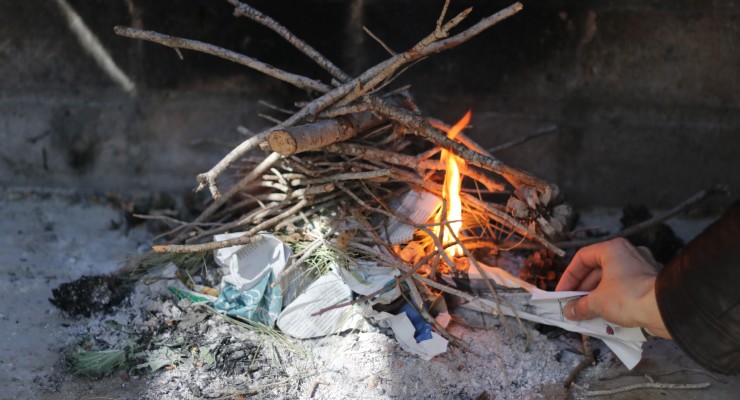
(418, 207)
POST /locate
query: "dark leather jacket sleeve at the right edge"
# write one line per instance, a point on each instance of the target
(698, 295)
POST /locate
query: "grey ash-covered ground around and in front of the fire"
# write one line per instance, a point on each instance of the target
(57, 237)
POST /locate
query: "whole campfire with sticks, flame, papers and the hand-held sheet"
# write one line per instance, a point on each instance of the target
(361, 203)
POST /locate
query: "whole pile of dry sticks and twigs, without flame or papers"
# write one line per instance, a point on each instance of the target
(342, 157)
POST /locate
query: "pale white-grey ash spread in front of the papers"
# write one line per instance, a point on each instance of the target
(355, 365)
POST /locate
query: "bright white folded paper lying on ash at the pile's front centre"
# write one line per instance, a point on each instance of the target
(297, 320)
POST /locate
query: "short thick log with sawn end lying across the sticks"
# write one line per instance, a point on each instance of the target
(300, 138)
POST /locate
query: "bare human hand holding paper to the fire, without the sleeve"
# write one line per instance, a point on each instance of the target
(621, 281)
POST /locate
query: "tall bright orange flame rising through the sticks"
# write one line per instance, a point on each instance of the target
(451, 190)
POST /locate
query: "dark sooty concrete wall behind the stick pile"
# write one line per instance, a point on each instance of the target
(646, 94)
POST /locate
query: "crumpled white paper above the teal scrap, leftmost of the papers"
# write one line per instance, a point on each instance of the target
(249, 263)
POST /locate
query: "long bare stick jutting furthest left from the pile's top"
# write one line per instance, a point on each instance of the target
(181, 43)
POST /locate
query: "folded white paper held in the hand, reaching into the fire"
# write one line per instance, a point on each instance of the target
(547, 308)
